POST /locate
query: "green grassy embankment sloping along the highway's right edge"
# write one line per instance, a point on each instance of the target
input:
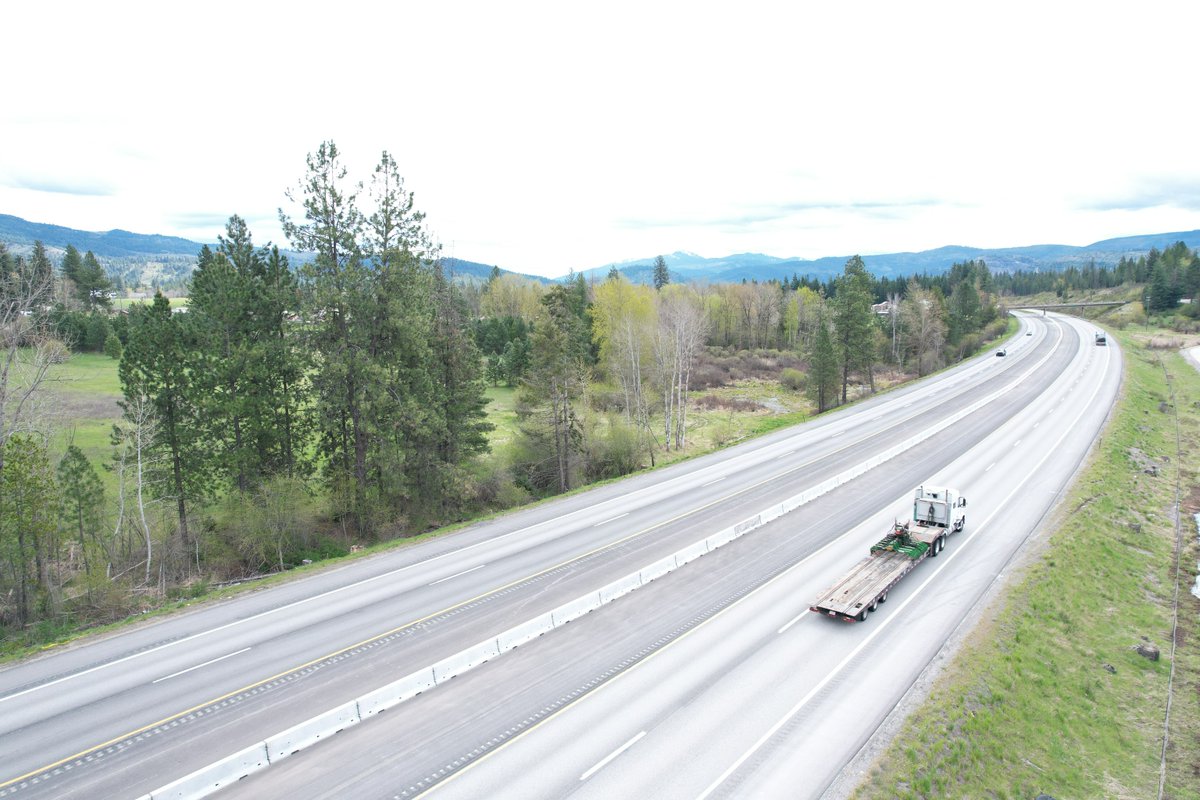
(1049, 695)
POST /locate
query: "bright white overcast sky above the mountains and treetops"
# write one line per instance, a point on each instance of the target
(557, 136)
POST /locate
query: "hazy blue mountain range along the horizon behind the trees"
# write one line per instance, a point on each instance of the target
(685, 267)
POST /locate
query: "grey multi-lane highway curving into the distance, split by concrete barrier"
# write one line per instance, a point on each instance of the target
(123, 715)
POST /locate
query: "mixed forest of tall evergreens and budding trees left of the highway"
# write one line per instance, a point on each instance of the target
(287, 414)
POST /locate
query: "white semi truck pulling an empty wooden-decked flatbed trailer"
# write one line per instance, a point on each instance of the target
(937, 514)
